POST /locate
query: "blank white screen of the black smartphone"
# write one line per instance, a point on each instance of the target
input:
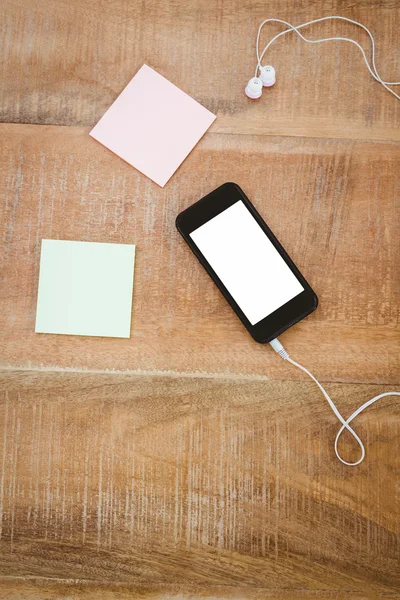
(246, 262)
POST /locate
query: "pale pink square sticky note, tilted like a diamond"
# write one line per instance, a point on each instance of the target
(153, 125)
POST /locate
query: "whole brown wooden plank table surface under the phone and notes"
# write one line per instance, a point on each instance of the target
(189, 461)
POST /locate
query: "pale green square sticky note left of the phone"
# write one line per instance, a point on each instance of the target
(85, 288)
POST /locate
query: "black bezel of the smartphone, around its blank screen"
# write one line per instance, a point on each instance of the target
(284, 317)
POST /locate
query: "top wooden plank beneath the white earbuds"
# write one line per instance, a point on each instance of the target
(65, 62)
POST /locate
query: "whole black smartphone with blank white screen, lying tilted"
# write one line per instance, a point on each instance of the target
(248, 264)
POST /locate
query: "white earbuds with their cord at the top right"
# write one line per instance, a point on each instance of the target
(265, 75)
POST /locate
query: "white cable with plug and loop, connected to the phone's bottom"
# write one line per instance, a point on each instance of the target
(277, 346)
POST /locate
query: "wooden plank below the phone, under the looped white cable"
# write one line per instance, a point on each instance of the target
(167, 480)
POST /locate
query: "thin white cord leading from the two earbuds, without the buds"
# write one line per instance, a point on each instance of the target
(372, 69)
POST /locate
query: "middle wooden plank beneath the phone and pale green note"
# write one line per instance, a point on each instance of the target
(339, 221)
